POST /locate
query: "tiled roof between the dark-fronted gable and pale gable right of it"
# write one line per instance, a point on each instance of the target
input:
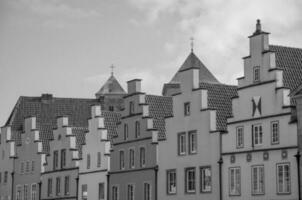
(159, 108)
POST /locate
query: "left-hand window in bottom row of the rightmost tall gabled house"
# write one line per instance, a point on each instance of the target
(234, 181)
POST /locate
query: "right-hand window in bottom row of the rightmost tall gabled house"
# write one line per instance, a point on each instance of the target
(283, 178)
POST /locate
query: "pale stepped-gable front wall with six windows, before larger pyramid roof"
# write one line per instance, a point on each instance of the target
(208, 144)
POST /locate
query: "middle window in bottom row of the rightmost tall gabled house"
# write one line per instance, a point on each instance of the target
(258, 180)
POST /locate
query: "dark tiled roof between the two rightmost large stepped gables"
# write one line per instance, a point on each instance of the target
(219, 98)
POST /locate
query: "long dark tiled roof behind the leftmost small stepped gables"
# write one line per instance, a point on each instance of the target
(46, 109)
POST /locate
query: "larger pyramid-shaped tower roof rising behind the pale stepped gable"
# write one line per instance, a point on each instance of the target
(193, 62)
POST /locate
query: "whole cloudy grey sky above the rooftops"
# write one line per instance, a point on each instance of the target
(66, 47)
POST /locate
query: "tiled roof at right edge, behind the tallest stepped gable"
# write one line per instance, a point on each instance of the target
(290, 61)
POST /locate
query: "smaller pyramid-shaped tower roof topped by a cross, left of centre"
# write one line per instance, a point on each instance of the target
(111, 86)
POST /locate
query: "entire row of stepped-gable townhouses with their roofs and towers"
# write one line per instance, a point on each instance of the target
(201, 139)
